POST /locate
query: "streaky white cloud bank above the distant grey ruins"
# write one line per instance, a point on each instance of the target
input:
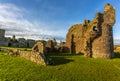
(12, 19)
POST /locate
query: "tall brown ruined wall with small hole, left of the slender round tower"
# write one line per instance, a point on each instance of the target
(80, 36)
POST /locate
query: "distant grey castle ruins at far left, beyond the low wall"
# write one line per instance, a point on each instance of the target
(13, 42)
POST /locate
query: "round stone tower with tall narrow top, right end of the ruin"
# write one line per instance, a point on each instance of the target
(103, 46)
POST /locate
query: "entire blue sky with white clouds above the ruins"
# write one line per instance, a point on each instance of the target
(46, 19)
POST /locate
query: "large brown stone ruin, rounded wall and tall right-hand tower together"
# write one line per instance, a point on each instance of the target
(93, 38)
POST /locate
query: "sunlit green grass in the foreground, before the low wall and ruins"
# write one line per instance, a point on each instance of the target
(67, 68)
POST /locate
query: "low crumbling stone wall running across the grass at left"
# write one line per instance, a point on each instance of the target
(36, 57)
